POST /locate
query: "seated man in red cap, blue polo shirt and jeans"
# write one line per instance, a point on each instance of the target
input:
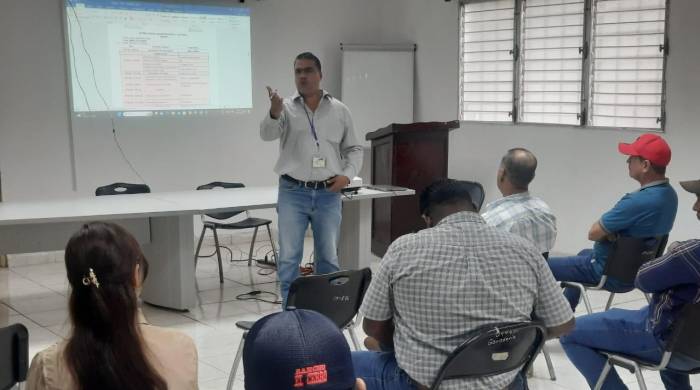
(645, 213)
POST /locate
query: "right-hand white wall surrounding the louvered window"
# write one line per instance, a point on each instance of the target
(580, 174)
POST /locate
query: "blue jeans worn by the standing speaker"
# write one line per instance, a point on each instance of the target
(297, 206)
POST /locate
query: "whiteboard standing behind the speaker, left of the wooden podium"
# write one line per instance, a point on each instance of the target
(377, 85)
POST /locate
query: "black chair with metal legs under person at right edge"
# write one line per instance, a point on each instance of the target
(684, 339)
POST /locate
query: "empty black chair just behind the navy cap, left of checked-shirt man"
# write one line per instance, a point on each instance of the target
(338, 296)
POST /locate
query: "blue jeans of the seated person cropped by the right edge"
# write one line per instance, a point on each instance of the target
(624, 331)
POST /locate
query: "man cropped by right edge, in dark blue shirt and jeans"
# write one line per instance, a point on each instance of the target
(674, 281)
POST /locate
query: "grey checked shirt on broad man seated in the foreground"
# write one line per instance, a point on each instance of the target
(441, 283)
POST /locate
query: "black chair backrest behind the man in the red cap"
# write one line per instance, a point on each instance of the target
(629, 253)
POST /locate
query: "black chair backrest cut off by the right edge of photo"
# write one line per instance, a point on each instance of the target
(685, 337)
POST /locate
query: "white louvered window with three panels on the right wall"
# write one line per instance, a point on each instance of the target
(573, 62)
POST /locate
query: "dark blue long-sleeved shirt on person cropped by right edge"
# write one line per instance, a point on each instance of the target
(674, 279)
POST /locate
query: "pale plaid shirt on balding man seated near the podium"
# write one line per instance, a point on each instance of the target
(525, 215)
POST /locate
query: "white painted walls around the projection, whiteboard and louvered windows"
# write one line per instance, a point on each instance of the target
(580, 173)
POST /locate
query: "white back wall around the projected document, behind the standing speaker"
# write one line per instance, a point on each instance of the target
(35, 147)
